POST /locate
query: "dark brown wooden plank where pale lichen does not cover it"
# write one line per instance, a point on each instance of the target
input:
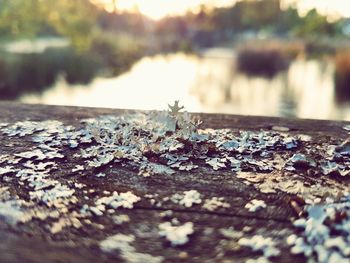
(211, 242)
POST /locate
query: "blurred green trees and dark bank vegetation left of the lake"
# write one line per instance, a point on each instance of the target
(92, 50)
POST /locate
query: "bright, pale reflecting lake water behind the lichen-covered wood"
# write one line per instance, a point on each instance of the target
(208, 83)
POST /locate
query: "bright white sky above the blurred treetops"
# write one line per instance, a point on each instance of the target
(157, 9)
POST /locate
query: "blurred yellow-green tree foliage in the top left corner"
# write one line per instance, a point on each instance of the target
(73, 19)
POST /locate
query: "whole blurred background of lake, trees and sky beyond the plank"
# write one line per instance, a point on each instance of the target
(288, 58)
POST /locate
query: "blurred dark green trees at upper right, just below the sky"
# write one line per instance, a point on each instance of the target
(264, 17)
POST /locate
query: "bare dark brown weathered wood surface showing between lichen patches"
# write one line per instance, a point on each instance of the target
(33, 242)
